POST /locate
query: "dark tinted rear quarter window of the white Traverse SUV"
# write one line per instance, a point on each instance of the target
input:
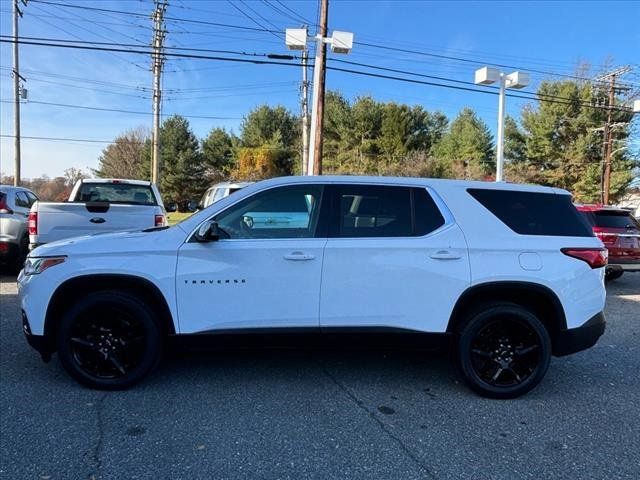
(534, 213)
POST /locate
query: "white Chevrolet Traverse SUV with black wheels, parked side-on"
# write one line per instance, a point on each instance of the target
(510, 274)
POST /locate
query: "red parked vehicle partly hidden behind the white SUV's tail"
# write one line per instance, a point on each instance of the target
(620, 233)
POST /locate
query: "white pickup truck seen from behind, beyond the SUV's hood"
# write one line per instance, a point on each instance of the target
(97, 206)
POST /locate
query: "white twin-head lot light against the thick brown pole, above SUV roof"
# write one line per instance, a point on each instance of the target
(340, 42)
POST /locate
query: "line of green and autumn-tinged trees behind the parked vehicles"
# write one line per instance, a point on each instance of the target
(551, 143)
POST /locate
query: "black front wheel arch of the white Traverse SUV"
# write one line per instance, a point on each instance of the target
(76, 287)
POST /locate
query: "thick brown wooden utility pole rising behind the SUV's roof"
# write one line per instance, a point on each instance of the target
(319, 75)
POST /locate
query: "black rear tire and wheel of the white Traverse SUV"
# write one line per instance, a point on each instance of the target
(503, 350)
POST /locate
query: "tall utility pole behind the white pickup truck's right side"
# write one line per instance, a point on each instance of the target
(158, 61)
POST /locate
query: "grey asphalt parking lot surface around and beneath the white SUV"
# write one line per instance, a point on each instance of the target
(299, 415)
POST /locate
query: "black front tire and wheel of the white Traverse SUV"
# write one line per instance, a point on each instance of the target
(109, 340)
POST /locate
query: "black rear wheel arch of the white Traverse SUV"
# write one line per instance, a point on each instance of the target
(541, 300)
